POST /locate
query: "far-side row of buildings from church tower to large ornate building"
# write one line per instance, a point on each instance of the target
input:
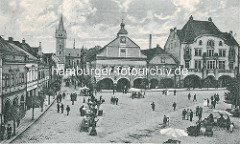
(199, 48)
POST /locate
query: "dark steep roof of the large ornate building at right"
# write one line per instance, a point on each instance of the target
(195, 28)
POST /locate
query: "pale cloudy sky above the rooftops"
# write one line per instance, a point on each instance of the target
(96, 22)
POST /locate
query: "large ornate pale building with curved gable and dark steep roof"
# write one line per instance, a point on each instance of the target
(204, 50)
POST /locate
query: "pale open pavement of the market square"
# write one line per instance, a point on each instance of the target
(132, 120)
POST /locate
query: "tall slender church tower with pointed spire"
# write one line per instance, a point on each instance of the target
(61, 37)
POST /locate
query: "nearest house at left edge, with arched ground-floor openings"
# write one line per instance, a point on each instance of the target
(14, 82)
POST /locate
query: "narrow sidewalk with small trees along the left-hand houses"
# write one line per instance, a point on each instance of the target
(27, 121)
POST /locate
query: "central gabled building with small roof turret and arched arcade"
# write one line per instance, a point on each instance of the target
(122, 59)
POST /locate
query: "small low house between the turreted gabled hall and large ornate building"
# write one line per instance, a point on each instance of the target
(161, 67)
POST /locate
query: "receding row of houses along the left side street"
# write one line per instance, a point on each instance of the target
(25, 72)
